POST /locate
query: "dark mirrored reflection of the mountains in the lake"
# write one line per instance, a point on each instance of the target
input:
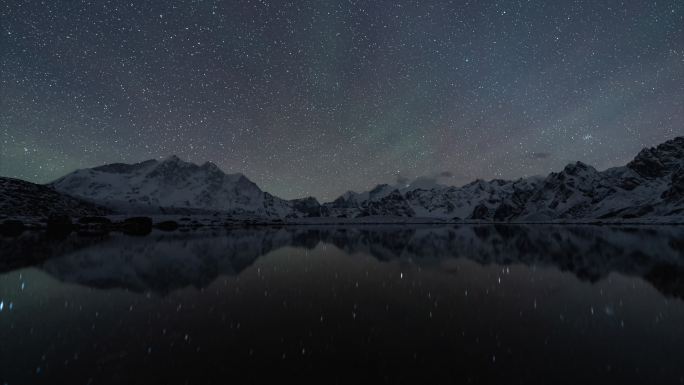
(164, 262)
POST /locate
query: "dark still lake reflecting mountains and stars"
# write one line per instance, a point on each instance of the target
(467, 304)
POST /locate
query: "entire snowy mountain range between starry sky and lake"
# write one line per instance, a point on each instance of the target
(650, 186)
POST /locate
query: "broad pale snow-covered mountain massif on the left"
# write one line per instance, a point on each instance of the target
(172, 184)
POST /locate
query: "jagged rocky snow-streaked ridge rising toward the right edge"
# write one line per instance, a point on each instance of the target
(652, 185)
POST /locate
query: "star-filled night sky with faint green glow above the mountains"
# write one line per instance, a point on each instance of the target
(320, 97)
